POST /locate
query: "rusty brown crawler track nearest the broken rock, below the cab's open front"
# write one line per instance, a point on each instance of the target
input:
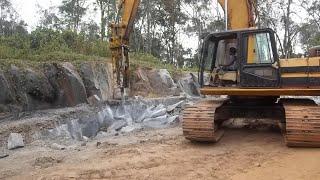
(198, 122)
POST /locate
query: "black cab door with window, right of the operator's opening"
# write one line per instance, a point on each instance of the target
(259, 66)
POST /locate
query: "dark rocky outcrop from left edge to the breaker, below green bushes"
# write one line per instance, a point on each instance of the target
(53, 85)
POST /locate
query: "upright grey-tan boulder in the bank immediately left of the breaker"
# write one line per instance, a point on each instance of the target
(97, 78)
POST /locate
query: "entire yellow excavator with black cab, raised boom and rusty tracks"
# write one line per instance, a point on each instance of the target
(243, 64)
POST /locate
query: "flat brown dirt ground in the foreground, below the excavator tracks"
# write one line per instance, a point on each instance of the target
(165, 154)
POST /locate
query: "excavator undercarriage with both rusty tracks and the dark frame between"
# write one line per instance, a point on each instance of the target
(298, 119)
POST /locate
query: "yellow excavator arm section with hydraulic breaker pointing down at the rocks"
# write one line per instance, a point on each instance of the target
(119, 45)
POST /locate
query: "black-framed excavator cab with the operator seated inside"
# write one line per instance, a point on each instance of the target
(243, 59)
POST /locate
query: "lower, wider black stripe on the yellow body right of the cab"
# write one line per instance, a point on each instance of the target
(301, 81)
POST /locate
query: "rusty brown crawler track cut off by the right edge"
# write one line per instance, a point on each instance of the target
(302, 125)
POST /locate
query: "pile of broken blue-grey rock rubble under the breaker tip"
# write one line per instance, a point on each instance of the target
(123, 118)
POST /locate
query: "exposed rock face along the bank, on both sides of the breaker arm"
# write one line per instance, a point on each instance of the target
(58, 85)
